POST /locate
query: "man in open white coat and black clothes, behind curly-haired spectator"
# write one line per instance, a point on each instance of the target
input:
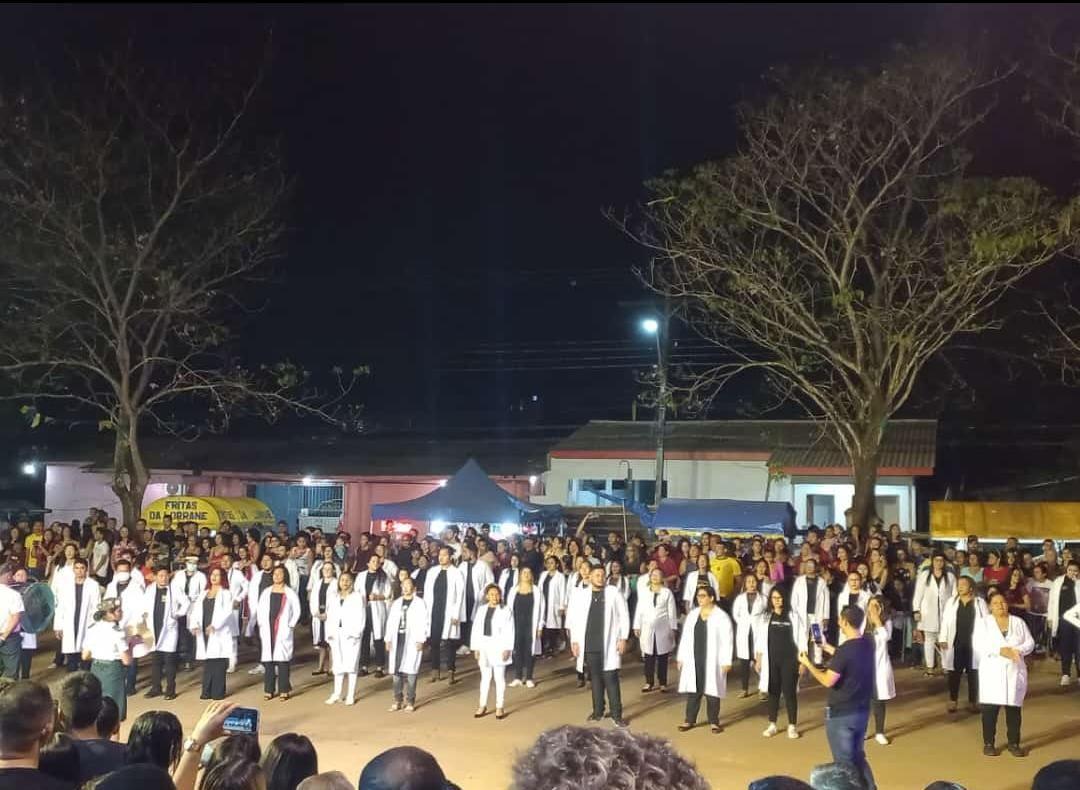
(600, 627)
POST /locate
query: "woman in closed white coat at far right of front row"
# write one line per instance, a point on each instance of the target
(1003, 641)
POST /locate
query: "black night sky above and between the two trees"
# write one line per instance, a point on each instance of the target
(453, 166)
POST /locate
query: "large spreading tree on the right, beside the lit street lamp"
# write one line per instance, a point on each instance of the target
(844, 246)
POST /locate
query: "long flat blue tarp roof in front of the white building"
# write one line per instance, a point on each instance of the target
(765, 518)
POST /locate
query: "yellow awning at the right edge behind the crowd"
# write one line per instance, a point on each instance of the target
(1024, 520)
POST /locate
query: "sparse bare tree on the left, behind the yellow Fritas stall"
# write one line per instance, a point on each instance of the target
(134, 212)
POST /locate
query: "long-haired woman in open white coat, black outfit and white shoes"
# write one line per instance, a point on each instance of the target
(781, 635)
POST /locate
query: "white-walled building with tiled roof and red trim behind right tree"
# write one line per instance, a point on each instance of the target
(758, 461)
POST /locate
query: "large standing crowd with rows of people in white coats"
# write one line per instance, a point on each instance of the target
(843, 607)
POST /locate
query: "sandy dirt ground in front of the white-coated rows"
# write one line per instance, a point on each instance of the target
(928, 743)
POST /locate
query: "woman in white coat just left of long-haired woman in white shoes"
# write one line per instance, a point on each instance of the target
(706, 653)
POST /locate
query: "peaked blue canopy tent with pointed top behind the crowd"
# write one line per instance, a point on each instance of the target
(468, 498)
